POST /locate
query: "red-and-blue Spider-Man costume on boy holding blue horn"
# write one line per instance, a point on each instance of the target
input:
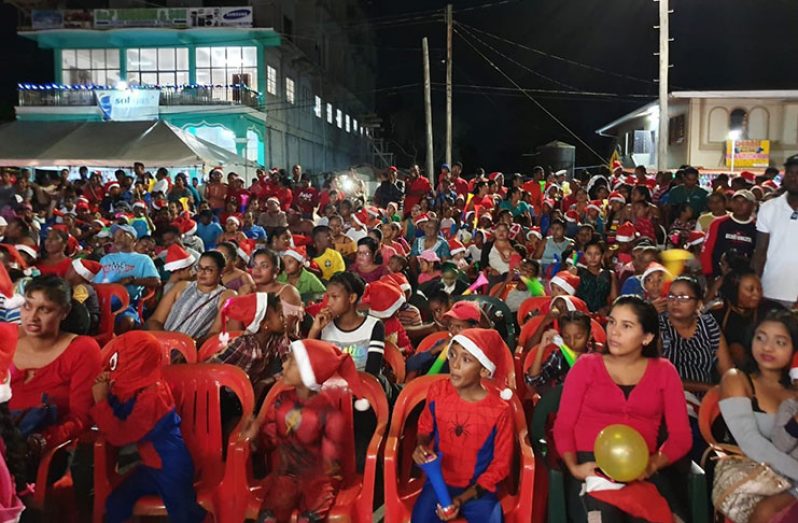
(475, 443)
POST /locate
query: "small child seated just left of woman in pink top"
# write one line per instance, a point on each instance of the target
(549, 371)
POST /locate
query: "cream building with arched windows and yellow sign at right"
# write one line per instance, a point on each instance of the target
(762, 124)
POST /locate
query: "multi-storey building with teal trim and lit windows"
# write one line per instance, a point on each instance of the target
(279, 82)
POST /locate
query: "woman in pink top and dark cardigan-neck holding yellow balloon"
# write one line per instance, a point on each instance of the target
(630, 385)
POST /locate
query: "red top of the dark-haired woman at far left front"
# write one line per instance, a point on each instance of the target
(66, 381)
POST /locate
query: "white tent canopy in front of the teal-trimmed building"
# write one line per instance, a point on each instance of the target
(110, 144)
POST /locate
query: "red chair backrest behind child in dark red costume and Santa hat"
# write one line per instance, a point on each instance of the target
(377, 402)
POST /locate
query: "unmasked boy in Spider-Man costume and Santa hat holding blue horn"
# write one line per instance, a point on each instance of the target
(469, 426)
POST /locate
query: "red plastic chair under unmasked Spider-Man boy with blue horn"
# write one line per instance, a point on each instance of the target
(401, 494)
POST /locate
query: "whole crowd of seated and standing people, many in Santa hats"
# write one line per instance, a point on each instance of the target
(293, 282)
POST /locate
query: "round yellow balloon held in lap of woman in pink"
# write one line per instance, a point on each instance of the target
(621, 453)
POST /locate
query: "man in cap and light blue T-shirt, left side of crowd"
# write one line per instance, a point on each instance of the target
(133, 270)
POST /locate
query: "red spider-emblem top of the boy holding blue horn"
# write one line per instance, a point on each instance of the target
(462, 430)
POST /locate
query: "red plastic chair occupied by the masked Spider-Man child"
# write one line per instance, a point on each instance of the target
(197, 390)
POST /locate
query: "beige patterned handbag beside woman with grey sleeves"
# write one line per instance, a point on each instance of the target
(741, 483)
